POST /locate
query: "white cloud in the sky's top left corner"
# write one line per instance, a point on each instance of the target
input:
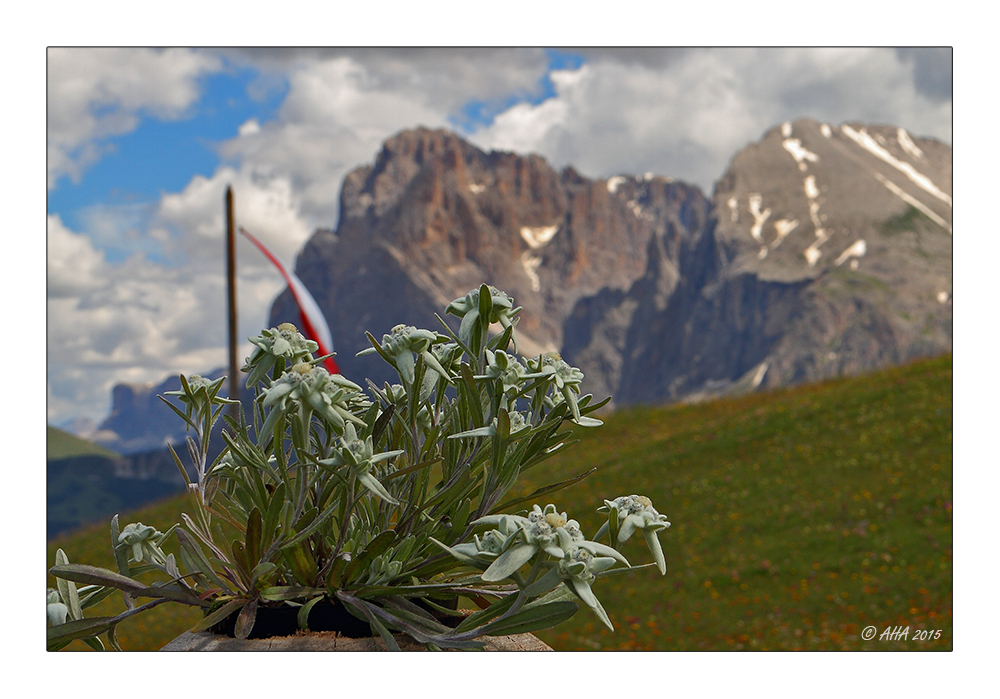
(97, 93)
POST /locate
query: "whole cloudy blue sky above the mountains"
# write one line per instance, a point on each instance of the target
(142, 143)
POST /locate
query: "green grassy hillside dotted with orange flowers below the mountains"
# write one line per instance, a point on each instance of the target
(800, 517)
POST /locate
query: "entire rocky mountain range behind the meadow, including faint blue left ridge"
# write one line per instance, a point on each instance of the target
(823, 251)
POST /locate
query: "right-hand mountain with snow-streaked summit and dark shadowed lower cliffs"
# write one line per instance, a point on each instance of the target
(827, 253)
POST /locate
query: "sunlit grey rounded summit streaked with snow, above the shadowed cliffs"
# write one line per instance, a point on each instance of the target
(808, 196)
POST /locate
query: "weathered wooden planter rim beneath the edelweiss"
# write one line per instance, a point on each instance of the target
(331, 641)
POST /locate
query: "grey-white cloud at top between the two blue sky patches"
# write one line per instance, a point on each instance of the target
(341, 105)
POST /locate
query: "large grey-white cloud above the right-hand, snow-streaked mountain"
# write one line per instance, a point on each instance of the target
(685, 112)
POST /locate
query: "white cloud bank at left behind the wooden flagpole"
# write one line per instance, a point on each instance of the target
(137, 321)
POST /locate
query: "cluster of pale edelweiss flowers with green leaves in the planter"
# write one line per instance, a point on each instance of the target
(389, 503)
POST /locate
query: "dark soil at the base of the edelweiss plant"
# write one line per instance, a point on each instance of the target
(325, 616)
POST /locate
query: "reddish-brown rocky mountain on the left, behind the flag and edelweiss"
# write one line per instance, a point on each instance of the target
(435, 217)
